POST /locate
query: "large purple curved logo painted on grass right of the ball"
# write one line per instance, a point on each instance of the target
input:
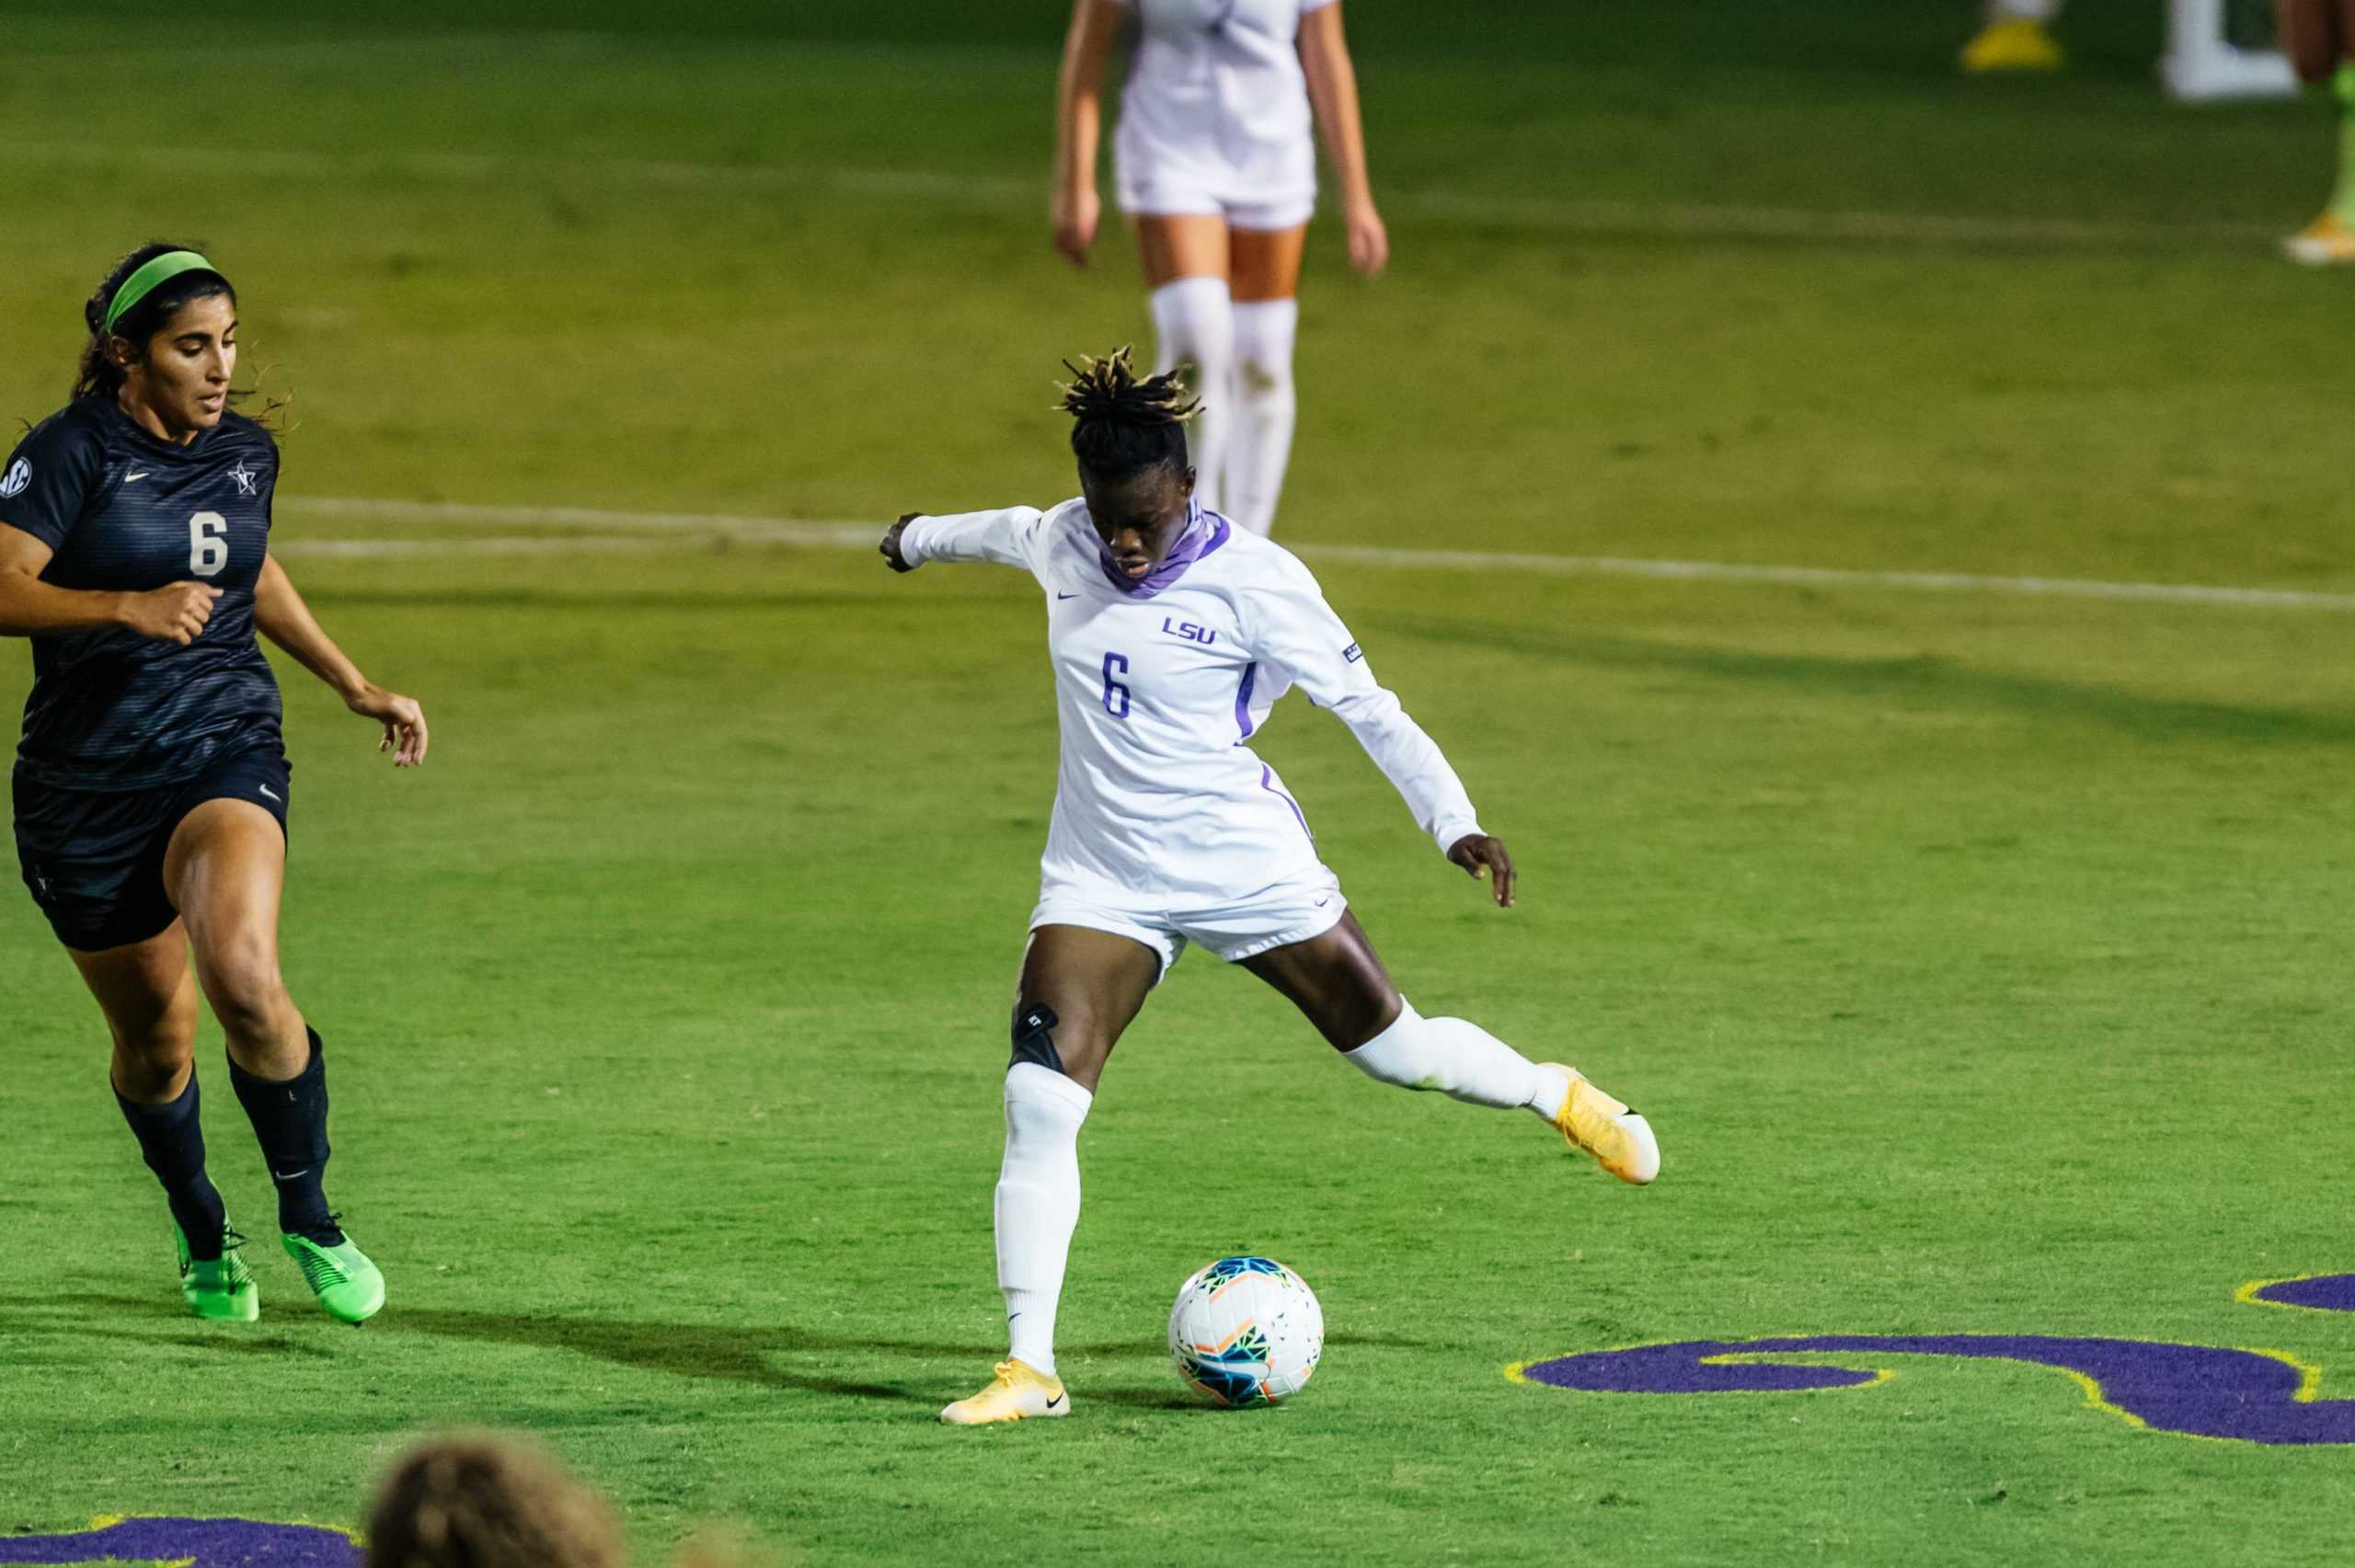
(2196, 1390)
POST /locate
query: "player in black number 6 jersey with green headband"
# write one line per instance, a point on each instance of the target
(152, 778)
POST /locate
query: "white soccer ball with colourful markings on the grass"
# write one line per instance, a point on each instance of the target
(1247, 1331)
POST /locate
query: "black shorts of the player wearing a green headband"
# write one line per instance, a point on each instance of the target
(93, 861)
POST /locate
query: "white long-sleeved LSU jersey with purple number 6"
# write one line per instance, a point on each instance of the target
(1160, 689)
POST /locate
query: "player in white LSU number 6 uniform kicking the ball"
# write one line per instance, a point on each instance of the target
(1172, 637)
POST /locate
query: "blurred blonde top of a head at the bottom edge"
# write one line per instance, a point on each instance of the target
(489, 1503)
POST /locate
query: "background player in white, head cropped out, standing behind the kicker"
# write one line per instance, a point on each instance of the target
(1216, 166)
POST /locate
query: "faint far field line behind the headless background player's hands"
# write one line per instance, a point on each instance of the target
(1000, 192)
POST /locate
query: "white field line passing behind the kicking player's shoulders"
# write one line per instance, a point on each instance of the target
(642, 531)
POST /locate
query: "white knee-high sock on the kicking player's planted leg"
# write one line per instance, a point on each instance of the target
(1037, 1204)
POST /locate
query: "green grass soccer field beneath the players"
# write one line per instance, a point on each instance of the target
(1979, 957)
